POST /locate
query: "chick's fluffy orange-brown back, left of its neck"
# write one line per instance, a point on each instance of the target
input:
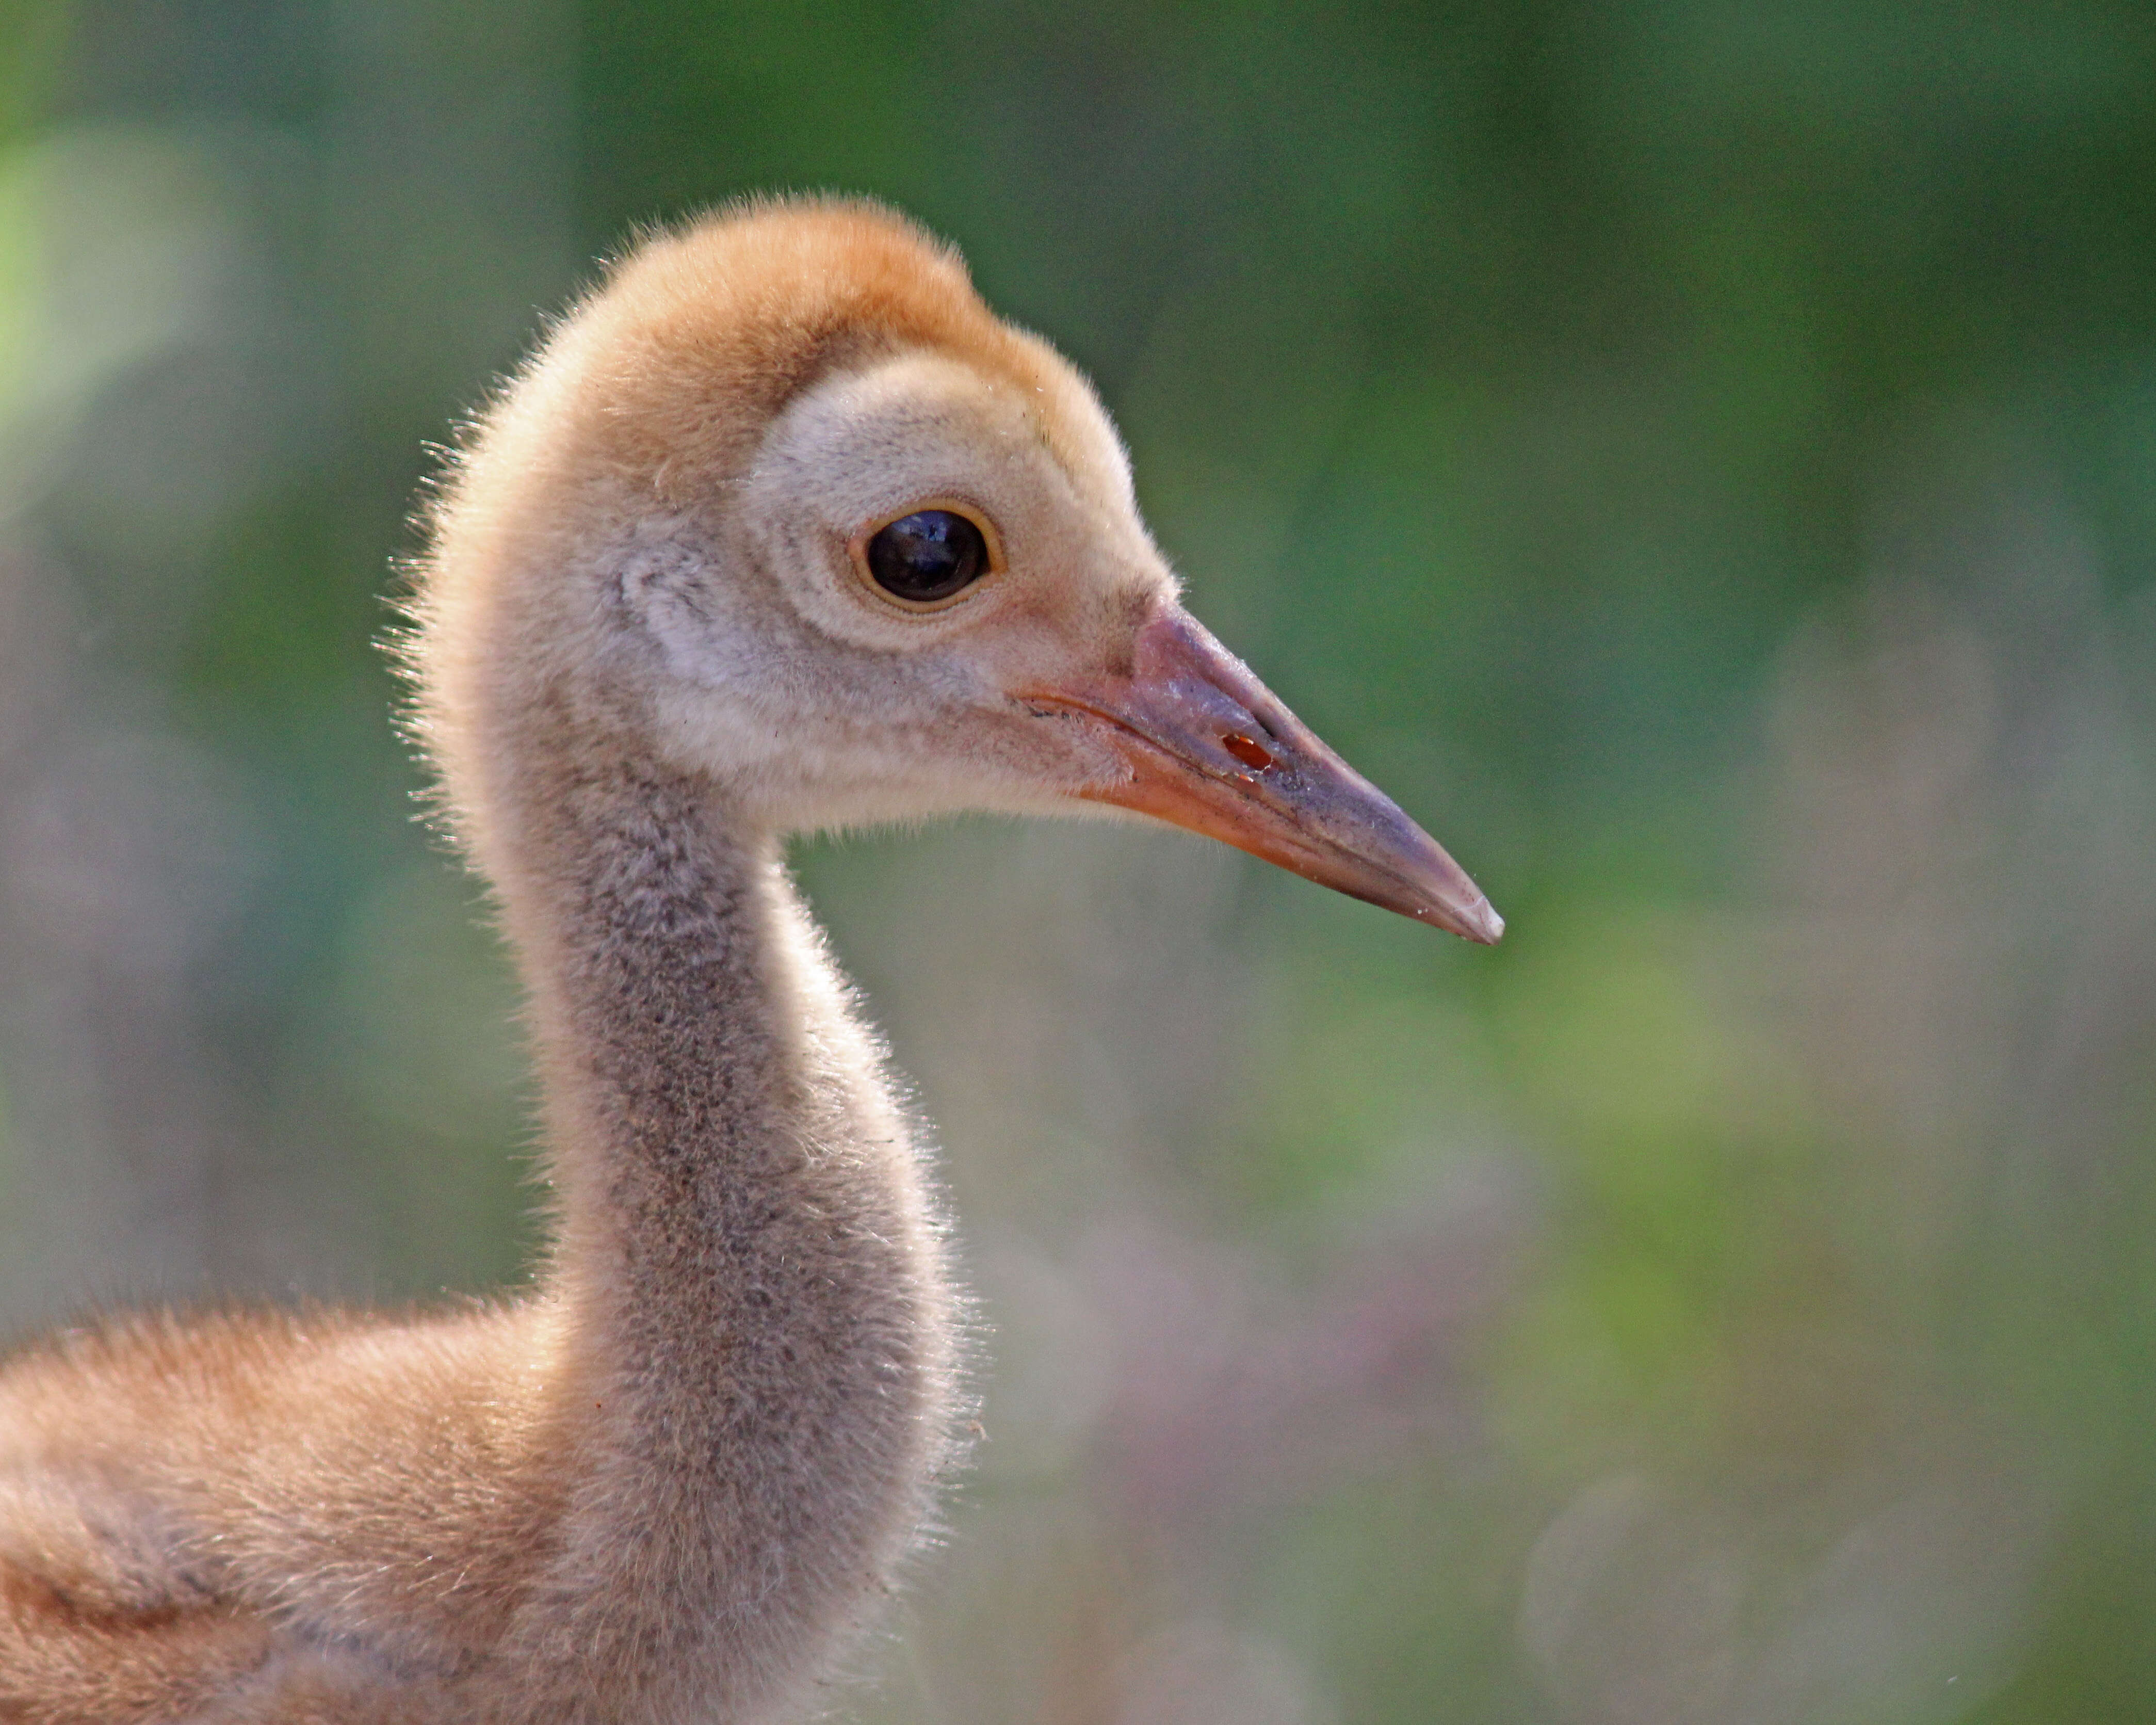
(260, 1515)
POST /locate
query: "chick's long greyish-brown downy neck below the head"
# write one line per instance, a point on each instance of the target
(747, 1297)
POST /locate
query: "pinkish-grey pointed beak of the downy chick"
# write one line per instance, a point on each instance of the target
(1211, 749)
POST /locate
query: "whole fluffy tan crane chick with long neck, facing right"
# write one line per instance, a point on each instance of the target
(779, 532)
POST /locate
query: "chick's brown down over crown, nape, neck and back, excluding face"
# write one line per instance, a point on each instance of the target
(682, 1474)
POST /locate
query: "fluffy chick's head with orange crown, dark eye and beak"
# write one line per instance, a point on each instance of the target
(792, 506)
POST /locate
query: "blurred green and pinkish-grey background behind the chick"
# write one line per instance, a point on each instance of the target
(1698, 454)
